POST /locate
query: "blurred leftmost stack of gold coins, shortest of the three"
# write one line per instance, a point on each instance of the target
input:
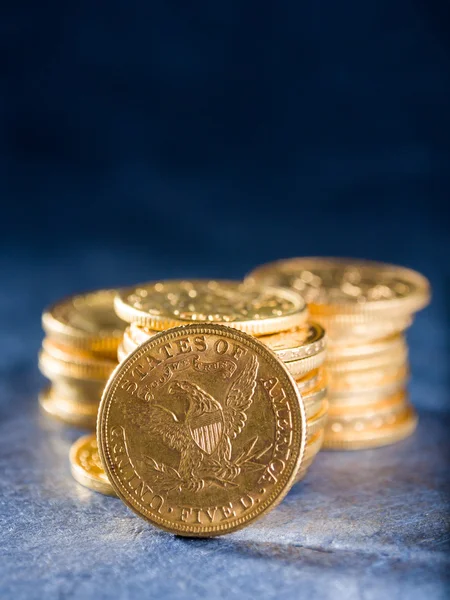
(78, 355)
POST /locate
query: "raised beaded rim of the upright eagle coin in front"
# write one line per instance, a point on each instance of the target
(298, 442)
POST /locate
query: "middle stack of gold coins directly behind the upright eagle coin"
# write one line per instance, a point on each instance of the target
(300, 344)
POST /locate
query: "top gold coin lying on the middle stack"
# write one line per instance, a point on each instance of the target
(251, 309)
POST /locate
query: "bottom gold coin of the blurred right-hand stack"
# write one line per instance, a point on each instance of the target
(403, 425)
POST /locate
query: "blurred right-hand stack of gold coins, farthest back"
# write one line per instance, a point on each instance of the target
(365, 308)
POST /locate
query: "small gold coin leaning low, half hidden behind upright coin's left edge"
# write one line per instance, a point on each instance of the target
(86, 466)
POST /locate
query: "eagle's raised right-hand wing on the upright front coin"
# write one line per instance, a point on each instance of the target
(239, 398)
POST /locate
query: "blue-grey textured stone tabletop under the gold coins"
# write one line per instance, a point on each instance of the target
(370, 524)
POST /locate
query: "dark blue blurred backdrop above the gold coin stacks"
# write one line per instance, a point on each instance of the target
(142, 140)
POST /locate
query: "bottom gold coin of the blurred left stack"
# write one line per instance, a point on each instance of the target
(70, 412)
